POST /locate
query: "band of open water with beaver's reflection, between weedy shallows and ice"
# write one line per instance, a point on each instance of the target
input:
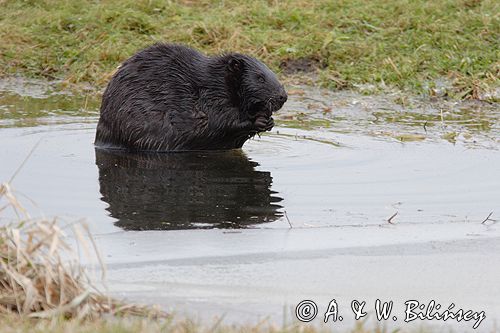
(360, 183)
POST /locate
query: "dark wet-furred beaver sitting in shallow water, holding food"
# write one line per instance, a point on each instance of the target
(170, 97)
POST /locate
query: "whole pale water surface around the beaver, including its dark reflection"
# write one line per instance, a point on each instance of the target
(347, 192)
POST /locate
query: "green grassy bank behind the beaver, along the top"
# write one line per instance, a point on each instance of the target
(398, 43)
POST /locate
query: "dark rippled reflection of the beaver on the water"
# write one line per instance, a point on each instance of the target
(148, 191)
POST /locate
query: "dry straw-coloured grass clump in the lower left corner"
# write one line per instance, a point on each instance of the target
(40, 276)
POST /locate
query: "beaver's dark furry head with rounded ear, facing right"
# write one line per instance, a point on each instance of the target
(253, 86)
